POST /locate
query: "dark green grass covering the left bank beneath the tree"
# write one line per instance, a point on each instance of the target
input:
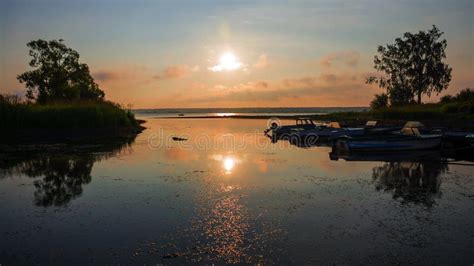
(65, 115)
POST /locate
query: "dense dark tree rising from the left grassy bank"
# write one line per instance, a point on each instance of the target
(58, 75)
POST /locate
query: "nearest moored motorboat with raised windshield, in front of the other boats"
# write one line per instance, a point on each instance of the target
(408, 139)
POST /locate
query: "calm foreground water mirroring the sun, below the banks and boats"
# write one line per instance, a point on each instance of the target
(228, 195)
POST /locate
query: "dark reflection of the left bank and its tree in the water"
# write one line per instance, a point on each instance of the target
(63, 173)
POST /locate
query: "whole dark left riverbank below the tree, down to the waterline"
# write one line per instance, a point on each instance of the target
(25, 122)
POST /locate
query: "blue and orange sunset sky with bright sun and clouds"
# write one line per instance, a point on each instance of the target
(176, 54)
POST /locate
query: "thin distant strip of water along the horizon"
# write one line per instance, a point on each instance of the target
(267, 112)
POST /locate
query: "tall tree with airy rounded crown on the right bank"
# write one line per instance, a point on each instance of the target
(414, 64)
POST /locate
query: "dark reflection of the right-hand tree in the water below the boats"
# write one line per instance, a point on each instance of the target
(416, 182)
